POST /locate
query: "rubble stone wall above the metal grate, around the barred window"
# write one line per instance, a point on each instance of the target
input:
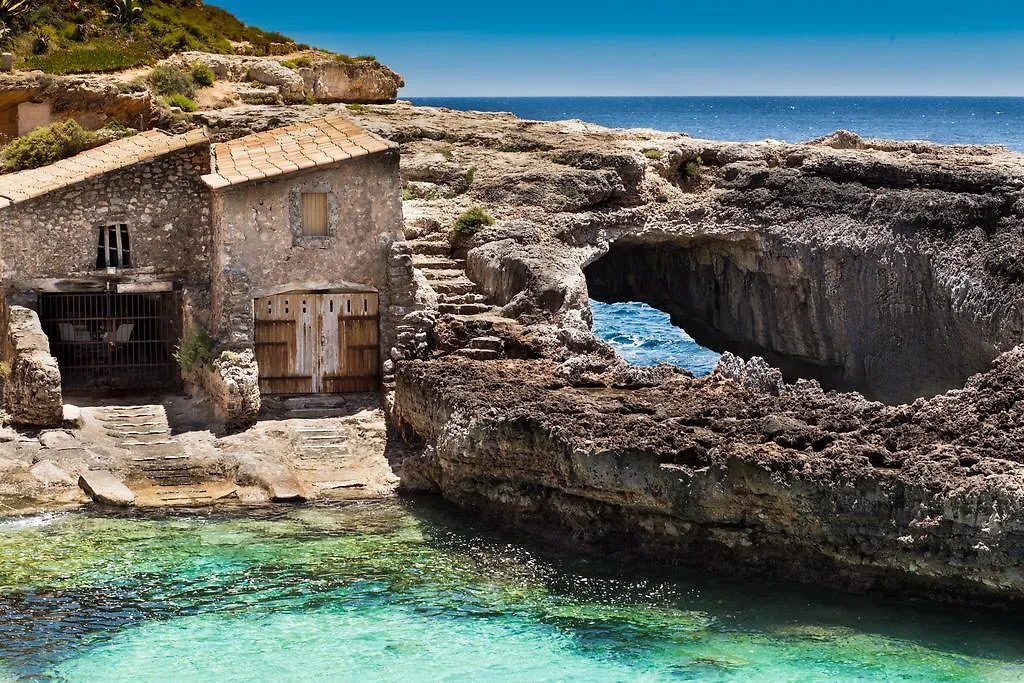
(162, 201)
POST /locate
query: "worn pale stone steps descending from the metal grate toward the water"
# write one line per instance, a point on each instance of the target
(161, 472)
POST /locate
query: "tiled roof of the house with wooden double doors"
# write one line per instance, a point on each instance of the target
(296, 148)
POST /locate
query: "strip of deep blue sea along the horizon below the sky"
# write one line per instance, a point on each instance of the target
(952, 120)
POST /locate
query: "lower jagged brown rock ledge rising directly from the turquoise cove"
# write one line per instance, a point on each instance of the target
(794, 483)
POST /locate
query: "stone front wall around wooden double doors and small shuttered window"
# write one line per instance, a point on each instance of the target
(261, 244)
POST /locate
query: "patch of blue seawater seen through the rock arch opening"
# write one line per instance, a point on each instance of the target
(646, 336)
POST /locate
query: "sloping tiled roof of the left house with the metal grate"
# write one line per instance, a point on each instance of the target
(24, 186)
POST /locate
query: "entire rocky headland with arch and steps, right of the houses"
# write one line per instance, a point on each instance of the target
(886, 273)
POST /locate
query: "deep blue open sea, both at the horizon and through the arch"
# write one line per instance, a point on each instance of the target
(644, 335)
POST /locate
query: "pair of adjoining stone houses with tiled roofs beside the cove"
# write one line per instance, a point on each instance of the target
(276, 244)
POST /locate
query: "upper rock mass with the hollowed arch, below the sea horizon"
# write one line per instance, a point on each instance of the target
(870, 266)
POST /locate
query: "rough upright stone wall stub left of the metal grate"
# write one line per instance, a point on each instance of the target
(32, 391)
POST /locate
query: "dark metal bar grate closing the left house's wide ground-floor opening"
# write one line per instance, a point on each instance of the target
(113, 343)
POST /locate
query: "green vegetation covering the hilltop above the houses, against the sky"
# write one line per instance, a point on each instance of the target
(78, 36)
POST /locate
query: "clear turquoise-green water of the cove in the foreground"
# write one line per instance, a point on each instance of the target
(392, 591)
